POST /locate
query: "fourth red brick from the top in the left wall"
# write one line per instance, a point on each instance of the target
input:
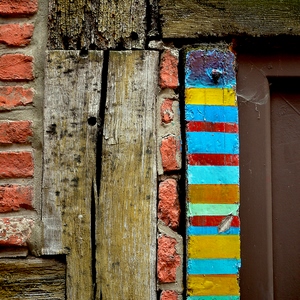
(14, 96)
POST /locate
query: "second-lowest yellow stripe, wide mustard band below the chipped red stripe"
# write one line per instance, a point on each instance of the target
(214, 246)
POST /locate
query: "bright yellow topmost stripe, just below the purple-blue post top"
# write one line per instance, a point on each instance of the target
(210, 96)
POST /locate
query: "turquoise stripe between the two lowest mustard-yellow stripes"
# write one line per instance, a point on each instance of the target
(213, 266)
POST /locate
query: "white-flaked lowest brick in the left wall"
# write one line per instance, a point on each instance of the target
(15, 231)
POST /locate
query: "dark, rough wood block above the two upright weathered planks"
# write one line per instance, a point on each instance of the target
(97, 24)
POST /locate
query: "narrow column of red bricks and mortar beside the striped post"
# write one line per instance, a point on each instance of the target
(169, 251)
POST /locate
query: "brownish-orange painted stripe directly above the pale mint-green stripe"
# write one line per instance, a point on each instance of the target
(213, 193)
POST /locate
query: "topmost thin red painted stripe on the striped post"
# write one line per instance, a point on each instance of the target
(212, 127)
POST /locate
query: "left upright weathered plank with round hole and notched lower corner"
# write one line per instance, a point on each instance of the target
(72, 101)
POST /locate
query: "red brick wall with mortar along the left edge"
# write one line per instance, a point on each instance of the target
(17, 79)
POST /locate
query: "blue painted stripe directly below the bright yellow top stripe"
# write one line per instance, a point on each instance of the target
(211, 113)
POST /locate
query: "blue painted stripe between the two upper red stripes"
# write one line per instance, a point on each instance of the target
(212, 142)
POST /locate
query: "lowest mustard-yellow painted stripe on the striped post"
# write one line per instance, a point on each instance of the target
(205, 285)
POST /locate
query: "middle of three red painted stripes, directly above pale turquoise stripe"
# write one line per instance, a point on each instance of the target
(213, 159)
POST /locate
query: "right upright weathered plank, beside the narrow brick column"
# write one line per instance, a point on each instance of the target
(126, 226)
